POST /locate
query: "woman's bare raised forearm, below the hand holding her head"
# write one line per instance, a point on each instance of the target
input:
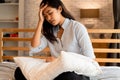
(36, 37)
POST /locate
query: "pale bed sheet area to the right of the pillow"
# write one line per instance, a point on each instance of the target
(109, 73)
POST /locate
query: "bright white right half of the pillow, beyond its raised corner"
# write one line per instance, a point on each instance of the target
(80, 64)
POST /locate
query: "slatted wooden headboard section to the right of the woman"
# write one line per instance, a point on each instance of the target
(103, 45)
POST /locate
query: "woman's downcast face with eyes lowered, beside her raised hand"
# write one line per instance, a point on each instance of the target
(52, 15)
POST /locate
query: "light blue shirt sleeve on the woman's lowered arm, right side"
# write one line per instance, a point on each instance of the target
(84, 41)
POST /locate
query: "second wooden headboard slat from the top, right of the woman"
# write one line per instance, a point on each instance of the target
(105, 40)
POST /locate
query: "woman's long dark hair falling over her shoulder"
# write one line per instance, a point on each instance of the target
(47, 27)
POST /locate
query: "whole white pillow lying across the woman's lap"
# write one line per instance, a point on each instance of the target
(37, 69)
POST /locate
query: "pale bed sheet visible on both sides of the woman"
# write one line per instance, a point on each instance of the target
(109, 73)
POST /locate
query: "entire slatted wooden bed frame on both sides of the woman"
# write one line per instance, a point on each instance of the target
(101, 49)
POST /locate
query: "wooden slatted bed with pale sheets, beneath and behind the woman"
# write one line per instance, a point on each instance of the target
(109, 72)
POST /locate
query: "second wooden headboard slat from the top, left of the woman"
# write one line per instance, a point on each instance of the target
(16, 39)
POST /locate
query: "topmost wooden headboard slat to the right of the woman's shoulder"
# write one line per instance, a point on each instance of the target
(103, 30)
